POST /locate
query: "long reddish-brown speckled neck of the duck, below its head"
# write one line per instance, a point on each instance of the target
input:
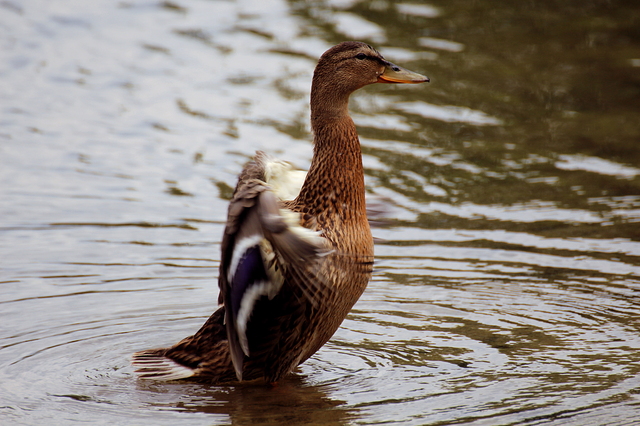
(335, 181)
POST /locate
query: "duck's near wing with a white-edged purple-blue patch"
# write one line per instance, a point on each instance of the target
(260, 242)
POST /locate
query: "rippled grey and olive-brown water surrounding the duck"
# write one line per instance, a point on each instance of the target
(507, 277)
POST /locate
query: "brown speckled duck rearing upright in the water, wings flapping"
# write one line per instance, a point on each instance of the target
(295, 257)
